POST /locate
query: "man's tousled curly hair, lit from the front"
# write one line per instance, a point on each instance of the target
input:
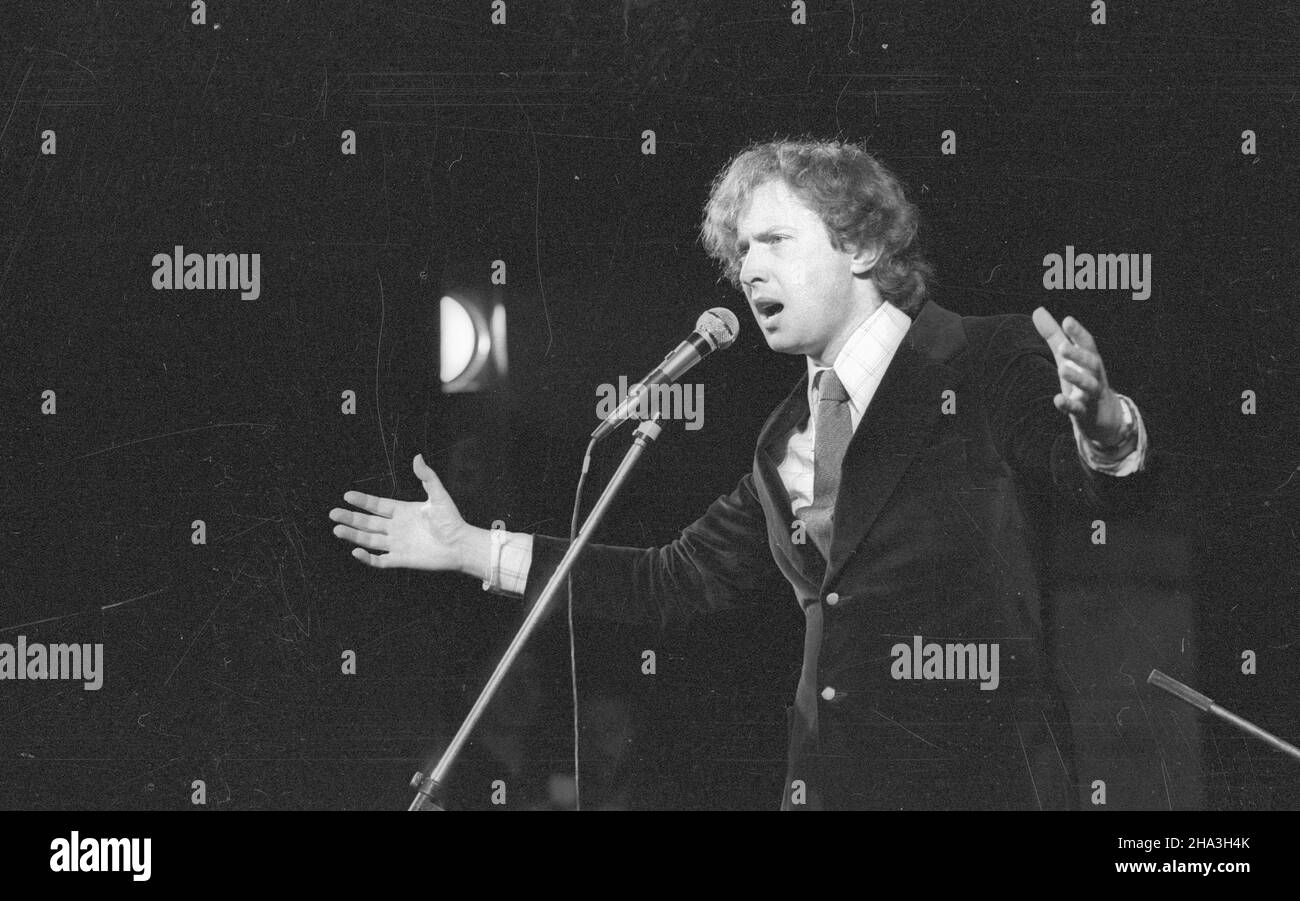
(859, 200)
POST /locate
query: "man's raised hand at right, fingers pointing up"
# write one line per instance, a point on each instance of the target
(1085, 392)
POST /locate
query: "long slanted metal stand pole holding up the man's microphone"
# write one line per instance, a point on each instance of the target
(428, 787)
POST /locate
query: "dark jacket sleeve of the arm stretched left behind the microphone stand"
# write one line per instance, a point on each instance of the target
(712, 566)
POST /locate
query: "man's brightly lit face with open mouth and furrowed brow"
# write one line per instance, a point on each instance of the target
(800, 288)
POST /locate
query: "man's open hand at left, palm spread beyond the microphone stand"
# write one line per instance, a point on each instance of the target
(409, 534)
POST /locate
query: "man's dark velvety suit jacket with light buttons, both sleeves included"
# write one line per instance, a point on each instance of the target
(938, 521)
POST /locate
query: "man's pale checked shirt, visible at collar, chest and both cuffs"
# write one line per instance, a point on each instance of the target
(860, 366)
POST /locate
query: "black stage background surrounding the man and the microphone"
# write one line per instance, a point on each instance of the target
(523, 144)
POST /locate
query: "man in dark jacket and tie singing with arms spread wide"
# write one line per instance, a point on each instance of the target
(900, 490)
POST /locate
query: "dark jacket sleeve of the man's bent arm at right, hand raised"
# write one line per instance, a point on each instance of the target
(1019, 379)
